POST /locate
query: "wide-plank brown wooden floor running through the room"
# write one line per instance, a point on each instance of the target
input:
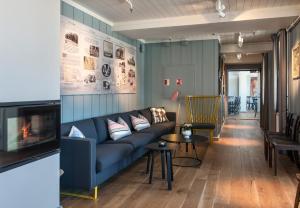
(233, 174)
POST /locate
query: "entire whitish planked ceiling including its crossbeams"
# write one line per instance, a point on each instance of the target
(162, 20)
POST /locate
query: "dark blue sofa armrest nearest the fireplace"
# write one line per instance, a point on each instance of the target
(78, 161)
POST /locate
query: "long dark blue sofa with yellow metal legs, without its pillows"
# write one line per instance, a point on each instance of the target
(91, 161)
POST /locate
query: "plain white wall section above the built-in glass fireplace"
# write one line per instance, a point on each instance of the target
(29, 50)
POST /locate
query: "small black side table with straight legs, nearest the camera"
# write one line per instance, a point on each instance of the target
(166, 157)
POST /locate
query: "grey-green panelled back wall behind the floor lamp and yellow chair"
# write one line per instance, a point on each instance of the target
(196, 62)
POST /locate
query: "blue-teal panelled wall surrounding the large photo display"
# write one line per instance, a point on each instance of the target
(77, 107)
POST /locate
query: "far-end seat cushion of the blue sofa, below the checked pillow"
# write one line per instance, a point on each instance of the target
(160, 129)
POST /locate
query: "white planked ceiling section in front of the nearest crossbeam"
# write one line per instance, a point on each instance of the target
(117, 10)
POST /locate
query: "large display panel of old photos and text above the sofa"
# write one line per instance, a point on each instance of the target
(93, 62)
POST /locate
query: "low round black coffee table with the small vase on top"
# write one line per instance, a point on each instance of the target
(179, 139)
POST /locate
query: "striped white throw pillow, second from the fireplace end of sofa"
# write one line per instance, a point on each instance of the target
(118, 130)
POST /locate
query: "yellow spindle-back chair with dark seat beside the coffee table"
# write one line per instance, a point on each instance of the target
(202, 112)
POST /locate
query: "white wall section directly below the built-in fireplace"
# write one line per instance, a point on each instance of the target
(31, 185)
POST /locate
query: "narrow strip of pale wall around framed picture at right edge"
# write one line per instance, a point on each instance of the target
(294, 85)
